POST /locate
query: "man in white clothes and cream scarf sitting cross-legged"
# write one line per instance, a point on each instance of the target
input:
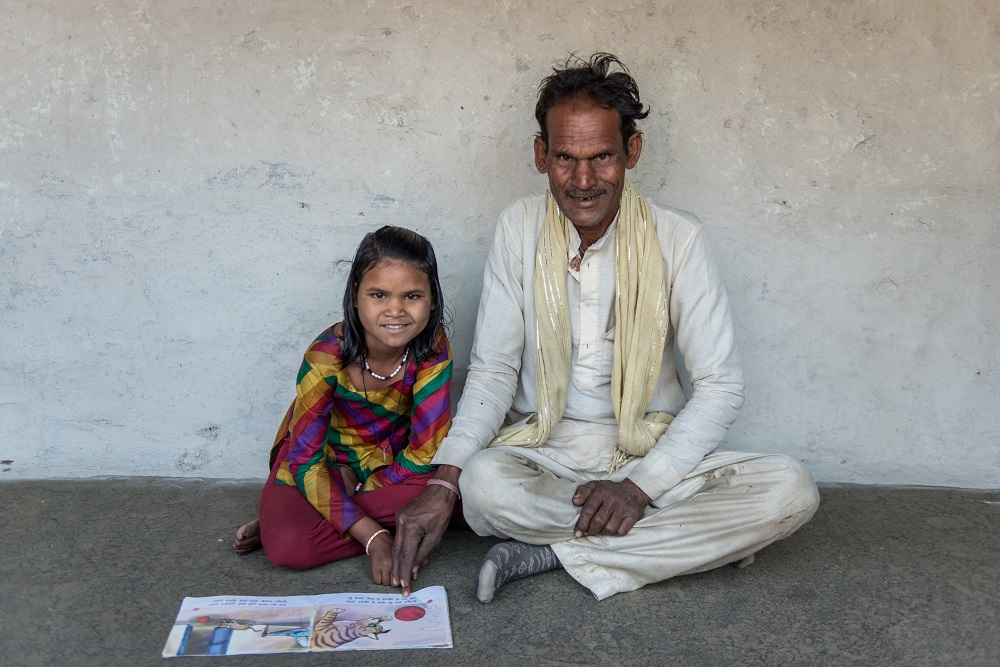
(605, 469)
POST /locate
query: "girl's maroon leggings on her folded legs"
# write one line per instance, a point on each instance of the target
(295, 535)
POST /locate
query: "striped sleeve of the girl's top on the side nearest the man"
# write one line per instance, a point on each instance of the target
(430, 418)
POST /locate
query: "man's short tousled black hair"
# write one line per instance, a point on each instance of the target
(593, 79)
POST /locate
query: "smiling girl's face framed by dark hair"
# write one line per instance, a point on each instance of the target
(394, 303)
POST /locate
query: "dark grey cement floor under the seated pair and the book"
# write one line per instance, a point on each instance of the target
(93, 573)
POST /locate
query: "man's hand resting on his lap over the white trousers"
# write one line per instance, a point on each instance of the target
(609, 508)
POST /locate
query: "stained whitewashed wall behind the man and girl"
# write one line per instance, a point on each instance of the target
(181, 184)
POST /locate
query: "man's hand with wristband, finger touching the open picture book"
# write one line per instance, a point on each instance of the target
(420, 526)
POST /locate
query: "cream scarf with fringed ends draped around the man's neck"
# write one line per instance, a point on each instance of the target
(640, 331)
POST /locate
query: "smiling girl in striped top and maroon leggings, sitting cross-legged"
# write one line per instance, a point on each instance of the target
(372, 405)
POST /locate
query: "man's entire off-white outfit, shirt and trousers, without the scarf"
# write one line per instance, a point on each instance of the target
(525, 494)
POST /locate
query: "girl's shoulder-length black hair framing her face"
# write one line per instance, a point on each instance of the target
(403, 245)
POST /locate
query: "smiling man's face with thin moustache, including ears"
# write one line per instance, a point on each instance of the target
(586, 162)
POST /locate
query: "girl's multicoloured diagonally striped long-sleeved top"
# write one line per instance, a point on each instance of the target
(384, 435)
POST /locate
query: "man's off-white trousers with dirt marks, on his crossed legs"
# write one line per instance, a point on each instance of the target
(729, 507)
